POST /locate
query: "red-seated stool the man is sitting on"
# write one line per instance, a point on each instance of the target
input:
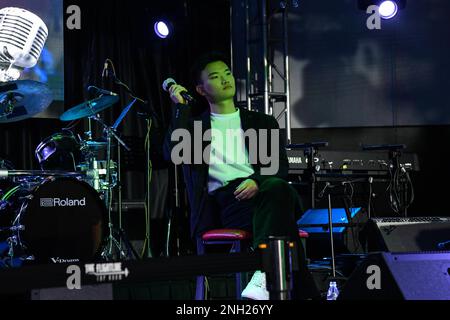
(234, 237)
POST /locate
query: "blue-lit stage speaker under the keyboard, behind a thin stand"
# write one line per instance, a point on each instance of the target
(347, 227)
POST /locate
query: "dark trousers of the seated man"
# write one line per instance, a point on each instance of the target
(274, 211)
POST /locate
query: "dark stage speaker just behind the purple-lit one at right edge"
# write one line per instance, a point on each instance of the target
(409, 234)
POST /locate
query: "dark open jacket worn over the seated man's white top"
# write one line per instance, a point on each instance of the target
(196, 175)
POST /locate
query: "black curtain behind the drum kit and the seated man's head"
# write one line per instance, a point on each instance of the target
(123, 32)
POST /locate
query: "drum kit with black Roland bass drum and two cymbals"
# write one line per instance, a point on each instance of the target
(61, 213)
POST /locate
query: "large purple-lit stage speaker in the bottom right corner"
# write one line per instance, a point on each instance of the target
(400, 276)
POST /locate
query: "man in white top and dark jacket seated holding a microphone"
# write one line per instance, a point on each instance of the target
(235, 184)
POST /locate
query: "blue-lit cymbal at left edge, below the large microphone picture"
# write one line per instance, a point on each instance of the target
(23, 99)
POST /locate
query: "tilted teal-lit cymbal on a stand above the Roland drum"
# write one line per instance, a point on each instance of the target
(89, 108)
